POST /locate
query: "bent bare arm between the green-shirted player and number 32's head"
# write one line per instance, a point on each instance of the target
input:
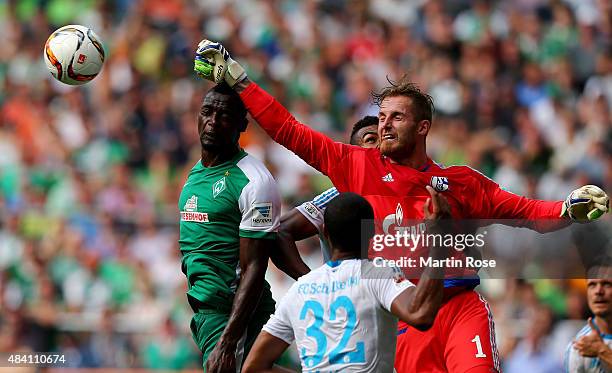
(293, 227)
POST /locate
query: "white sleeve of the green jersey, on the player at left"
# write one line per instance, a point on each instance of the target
(260, 206)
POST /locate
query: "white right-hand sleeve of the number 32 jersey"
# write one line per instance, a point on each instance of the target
(386, 284)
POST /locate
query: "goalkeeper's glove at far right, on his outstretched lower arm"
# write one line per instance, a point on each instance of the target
(585, 204)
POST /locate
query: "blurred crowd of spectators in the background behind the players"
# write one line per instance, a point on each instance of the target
(90, 176)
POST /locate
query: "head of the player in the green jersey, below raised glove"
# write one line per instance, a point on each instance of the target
(219, 123)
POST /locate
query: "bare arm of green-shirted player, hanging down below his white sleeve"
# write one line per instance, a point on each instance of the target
(254, 254)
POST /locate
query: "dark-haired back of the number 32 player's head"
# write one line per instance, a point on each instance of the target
(343, 218)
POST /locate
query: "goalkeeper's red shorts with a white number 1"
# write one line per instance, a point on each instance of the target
(461, 338)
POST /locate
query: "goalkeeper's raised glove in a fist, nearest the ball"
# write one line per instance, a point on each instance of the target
(213, 62)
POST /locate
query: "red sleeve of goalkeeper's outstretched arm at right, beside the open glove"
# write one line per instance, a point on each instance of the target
(498, 203)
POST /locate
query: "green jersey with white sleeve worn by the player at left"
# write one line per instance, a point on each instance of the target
(219, 205)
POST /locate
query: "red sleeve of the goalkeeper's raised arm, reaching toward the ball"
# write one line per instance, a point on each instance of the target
(313, 147)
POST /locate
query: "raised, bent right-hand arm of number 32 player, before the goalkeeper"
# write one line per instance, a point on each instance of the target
(419, 305)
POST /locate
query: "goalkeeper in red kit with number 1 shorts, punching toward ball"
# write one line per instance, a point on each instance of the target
(393, 178)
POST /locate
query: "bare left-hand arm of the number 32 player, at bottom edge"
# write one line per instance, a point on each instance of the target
(266, 350)
